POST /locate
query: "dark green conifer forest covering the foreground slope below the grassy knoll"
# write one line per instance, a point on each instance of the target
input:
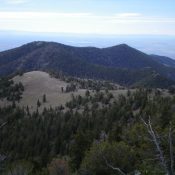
(97, 135)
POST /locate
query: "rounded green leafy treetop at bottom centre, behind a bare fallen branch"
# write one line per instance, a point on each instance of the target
(116, 153)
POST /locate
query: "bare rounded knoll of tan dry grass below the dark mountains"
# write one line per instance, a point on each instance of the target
(36, 84)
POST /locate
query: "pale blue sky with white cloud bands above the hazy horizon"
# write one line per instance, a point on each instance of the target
(155, 17)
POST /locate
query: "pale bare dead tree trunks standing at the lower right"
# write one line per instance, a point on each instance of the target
(155, 139)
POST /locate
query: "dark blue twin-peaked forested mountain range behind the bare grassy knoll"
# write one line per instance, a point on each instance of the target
(122, 64)
